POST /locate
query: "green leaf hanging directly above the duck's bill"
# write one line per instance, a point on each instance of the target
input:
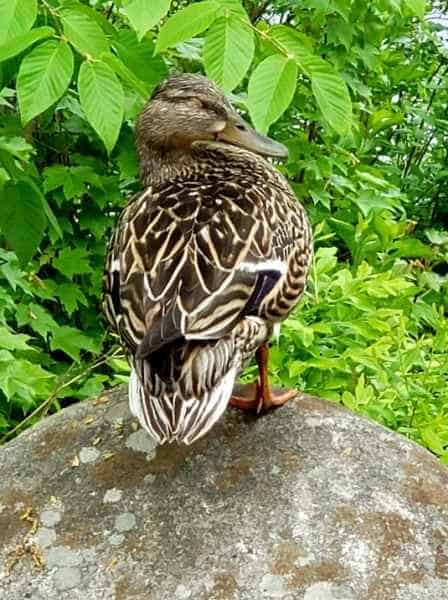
(271, 89)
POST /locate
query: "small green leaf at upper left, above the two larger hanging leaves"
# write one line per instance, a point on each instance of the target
(84, 32)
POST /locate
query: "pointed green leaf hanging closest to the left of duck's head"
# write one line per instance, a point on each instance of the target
(102, 99)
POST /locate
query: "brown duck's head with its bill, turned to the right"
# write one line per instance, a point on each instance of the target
(190, 108)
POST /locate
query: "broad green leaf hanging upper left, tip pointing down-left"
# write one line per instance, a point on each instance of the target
(44, 75)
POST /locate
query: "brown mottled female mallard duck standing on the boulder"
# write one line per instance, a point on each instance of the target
(204, 261)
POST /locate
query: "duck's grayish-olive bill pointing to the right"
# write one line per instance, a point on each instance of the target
(239, 133)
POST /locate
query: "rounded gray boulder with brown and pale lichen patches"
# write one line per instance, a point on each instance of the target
(309, 502)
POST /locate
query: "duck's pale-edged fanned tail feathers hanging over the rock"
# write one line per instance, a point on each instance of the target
(180, 392)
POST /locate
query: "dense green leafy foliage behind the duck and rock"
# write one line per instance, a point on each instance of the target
(359, 93)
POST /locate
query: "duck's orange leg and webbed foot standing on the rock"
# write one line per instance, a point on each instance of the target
(260, 396)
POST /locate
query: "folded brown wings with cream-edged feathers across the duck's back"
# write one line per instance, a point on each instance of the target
(191, 258)
